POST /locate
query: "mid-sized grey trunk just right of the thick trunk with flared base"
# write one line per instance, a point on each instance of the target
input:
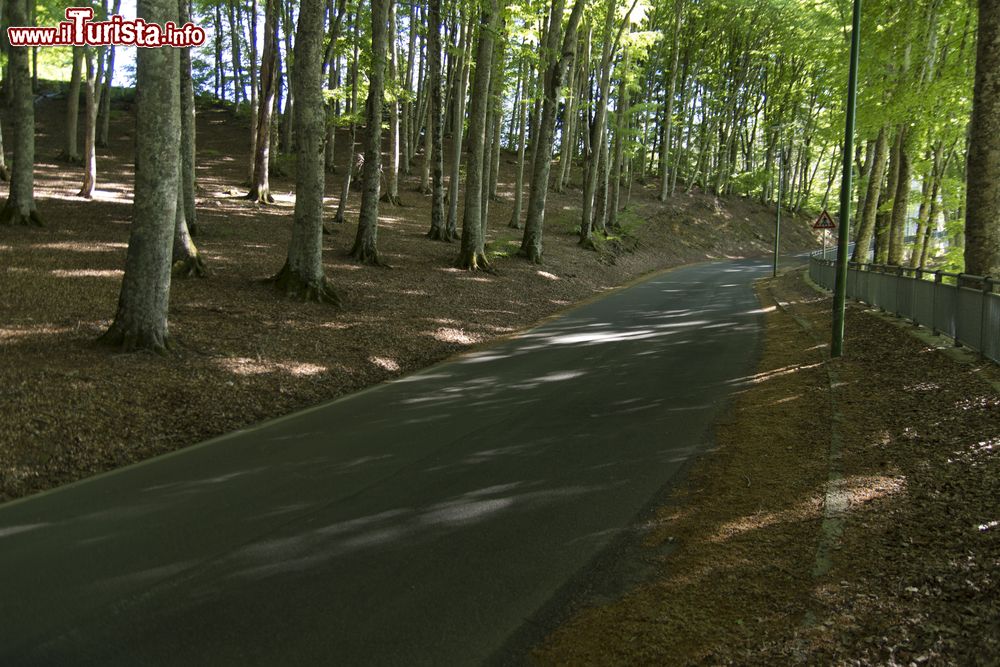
(366, 242)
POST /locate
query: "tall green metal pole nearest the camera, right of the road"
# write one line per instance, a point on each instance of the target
(840, 285)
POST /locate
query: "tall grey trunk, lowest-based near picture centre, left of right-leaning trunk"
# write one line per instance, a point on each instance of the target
(473, 254)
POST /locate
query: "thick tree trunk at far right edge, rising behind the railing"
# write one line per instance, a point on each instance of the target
(982, 193)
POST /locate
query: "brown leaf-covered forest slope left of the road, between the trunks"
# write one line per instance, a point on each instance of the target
(71, 408)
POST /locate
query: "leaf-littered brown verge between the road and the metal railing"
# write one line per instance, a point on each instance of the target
(847, 515)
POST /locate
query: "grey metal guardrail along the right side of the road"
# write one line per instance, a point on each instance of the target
(961, 306)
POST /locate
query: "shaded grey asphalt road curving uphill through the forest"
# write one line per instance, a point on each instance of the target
(424, 521)
